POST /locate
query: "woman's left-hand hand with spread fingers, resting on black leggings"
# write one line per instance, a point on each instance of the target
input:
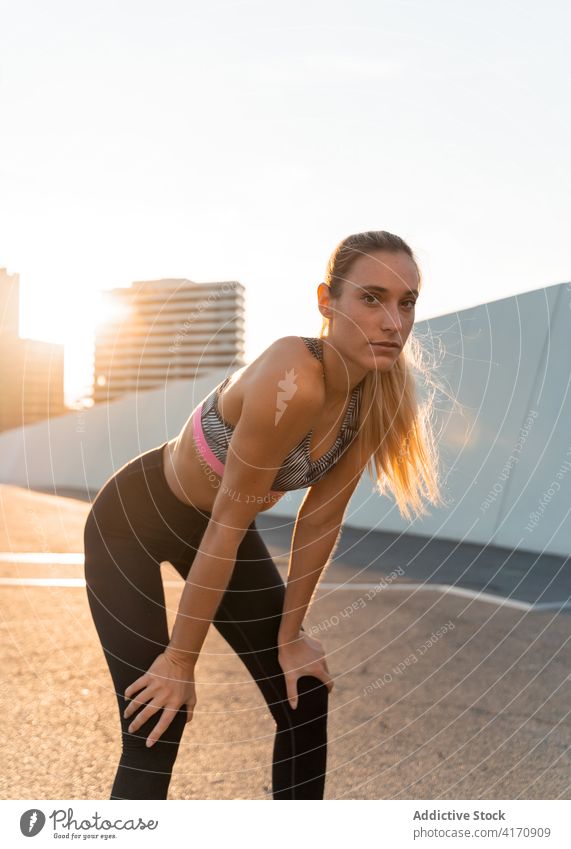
(168, 684)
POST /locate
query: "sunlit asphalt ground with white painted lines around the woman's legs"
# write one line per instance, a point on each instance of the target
(451, 680)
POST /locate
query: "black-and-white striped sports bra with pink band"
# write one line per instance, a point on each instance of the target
(212, 435)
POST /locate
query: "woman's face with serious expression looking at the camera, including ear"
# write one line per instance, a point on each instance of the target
(376, 305)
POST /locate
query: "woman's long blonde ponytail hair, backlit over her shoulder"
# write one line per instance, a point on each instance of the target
(395, 429)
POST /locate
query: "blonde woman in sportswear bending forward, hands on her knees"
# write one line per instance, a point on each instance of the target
(307, 413)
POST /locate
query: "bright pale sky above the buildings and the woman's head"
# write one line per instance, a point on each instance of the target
(243, 140)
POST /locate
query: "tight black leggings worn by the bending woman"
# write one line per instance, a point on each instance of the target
(135, 523)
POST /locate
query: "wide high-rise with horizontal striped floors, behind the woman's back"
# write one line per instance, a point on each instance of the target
(169, 329)
